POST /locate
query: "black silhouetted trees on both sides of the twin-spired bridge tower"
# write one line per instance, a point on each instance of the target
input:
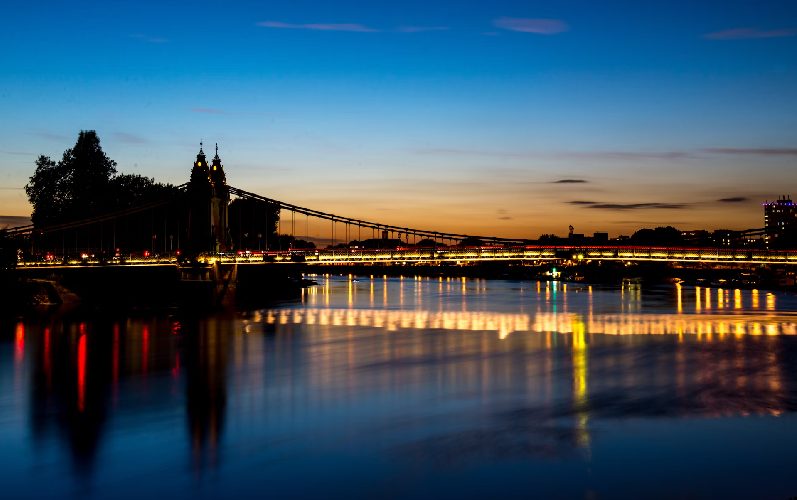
(126, 213)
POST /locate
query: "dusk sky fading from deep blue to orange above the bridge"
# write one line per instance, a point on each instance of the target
(506, 118)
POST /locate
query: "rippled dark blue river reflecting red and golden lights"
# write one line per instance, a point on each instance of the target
(411, 388)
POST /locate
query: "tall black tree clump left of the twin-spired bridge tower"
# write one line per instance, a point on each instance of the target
(84, 184)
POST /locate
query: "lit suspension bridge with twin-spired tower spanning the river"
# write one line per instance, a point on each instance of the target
(196, 220)
